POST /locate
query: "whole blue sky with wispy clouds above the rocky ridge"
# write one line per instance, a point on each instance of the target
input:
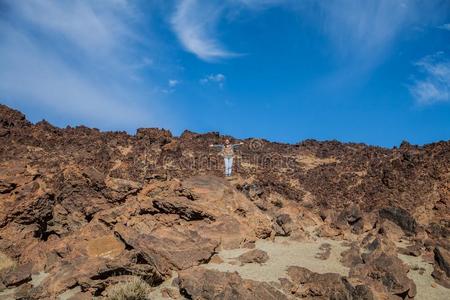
(376, 72)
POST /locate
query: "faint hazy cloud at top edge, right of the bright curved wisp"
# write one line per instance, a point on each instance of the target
(363, 31)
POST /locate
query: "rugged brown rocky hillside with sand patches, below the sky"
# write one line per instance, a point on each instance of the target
(82, 210)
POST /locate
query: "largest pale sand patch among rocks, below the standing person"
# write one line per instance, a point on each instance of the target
(283, 253)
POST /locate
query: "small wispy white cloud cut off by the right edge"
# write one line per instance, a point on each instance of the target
(434, 86)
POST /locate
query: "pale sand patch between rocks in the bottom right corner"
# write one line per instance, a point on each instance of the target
(426, 286)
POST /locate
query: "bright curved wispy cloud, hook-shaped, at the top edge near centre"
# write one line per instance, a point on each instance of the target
(194, 24)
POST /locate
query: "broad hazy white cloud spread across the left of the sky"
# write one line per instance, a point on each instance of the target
(75, 59)
